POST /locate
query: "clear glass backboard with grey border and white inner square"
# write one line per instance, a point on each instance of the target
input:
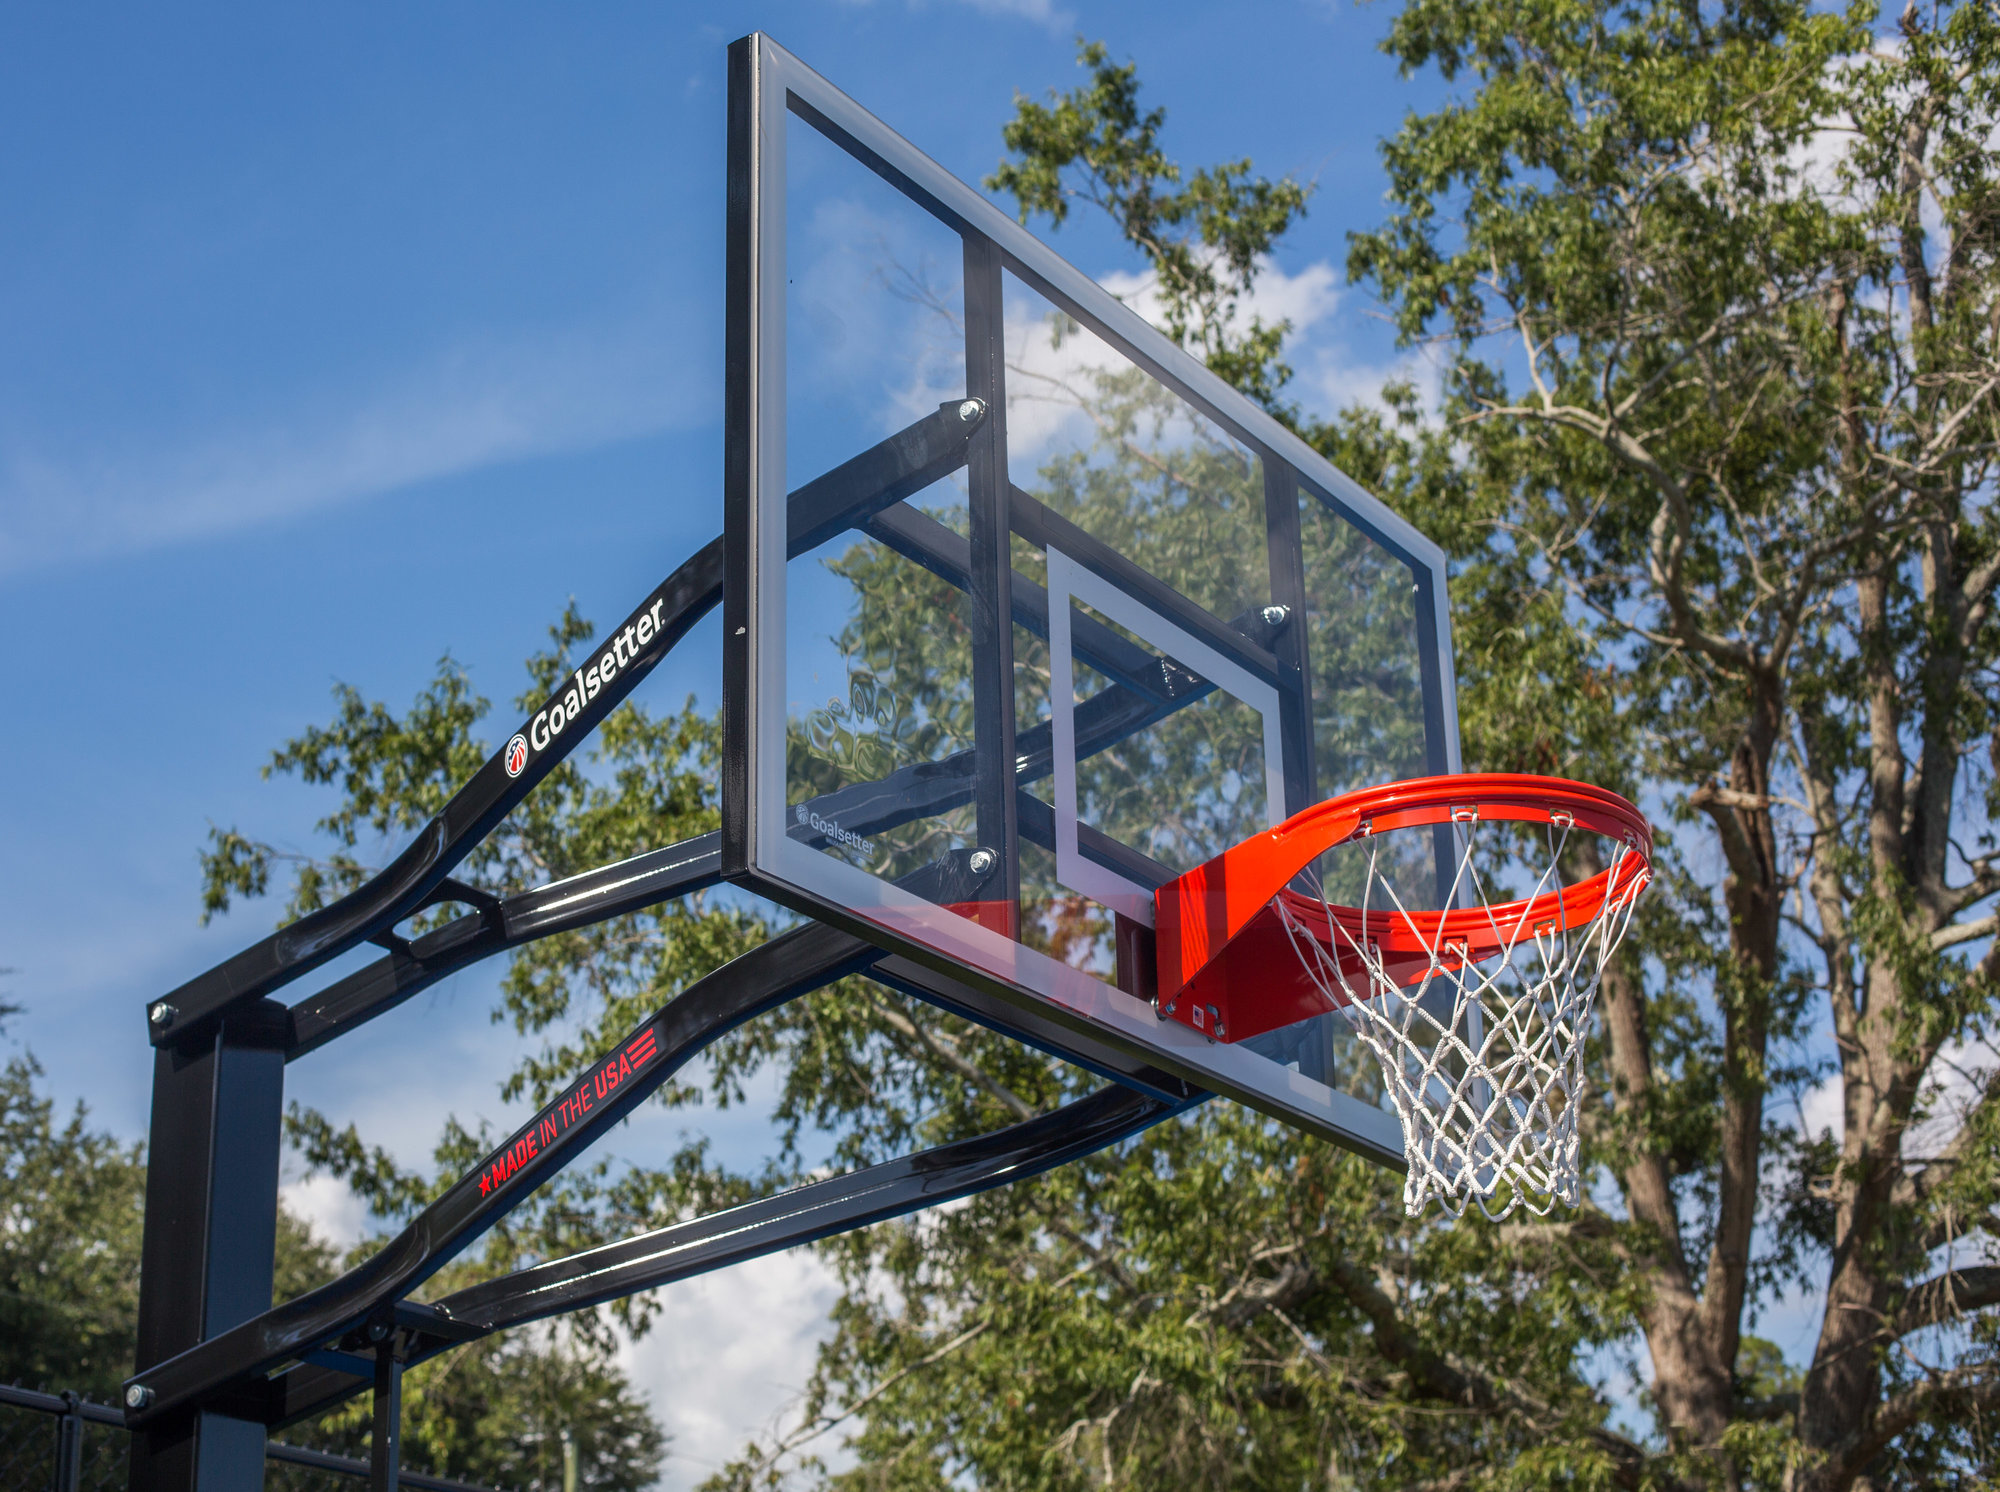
(1025, 609)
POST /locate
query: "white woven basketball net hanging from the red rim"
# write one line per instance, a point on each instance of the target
(1483, 1061)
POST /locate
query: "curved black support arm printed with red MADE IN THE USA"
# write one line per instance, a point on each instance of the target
(787, 967)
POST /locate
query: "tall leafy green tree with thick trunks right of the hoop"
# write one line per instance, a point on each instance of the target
(1719, 305)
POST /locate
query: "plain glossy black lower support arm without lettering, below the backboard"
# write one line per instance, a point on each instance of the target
(743, 1233)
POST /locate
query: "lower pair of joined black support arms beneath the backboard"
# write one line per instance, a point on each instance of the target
(371, 1303)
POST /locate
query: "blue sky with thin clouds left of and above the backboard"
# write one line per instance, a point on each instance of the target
(339, 341)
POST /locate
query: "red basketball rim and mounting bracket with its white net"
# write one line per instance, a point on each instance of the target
(1477, 1013)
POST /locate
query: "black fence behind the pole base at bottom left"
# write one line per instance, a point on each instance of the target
(61, 1443)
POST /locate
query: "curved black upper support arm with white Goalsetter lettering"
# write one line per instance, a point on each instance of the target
(853, 493)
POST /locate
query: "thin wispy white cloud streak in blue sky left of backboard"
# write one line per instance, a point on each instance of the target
(463, 409)
